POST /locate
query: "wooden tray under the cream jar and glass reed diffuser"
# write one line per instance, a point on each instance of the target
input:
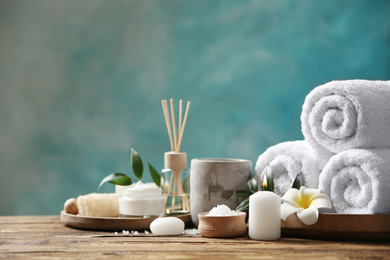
(113, 224)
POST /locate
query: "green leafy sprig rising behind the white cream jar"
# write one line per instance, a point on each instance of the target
(119, 178)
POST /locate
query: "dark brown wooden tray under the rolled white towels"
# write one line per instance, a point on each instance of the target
(340, 227)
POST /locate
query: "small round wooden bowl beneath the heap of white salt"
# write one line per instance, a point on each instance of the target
(222, 226)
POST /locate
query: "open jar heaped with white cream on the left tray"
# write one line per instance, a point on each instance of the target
(141, 200)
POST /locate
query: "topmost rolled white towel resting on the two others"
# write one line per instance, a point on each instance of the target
(342, 115)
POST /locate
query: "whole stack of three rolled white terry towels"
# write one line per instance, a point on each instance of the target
(337, 118)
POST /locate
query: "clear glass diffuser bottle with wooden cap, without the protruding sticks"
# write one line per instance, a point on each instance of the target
(175, 182)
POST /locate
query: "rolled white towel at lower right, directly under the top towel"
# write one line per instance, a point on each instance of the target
(358, 181)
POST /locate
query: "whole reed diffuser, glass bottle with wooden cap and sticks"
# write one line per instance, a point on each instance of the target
(175, 177)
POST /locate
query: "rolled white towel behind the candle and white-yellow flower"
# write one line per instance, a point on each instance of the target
(287, 160)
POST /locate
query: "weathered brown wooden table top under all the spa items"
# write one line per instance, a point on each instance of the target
(44, 237)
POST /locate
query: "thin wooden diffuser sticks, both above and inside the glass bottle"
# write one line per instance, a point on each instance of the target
(175, 133)
